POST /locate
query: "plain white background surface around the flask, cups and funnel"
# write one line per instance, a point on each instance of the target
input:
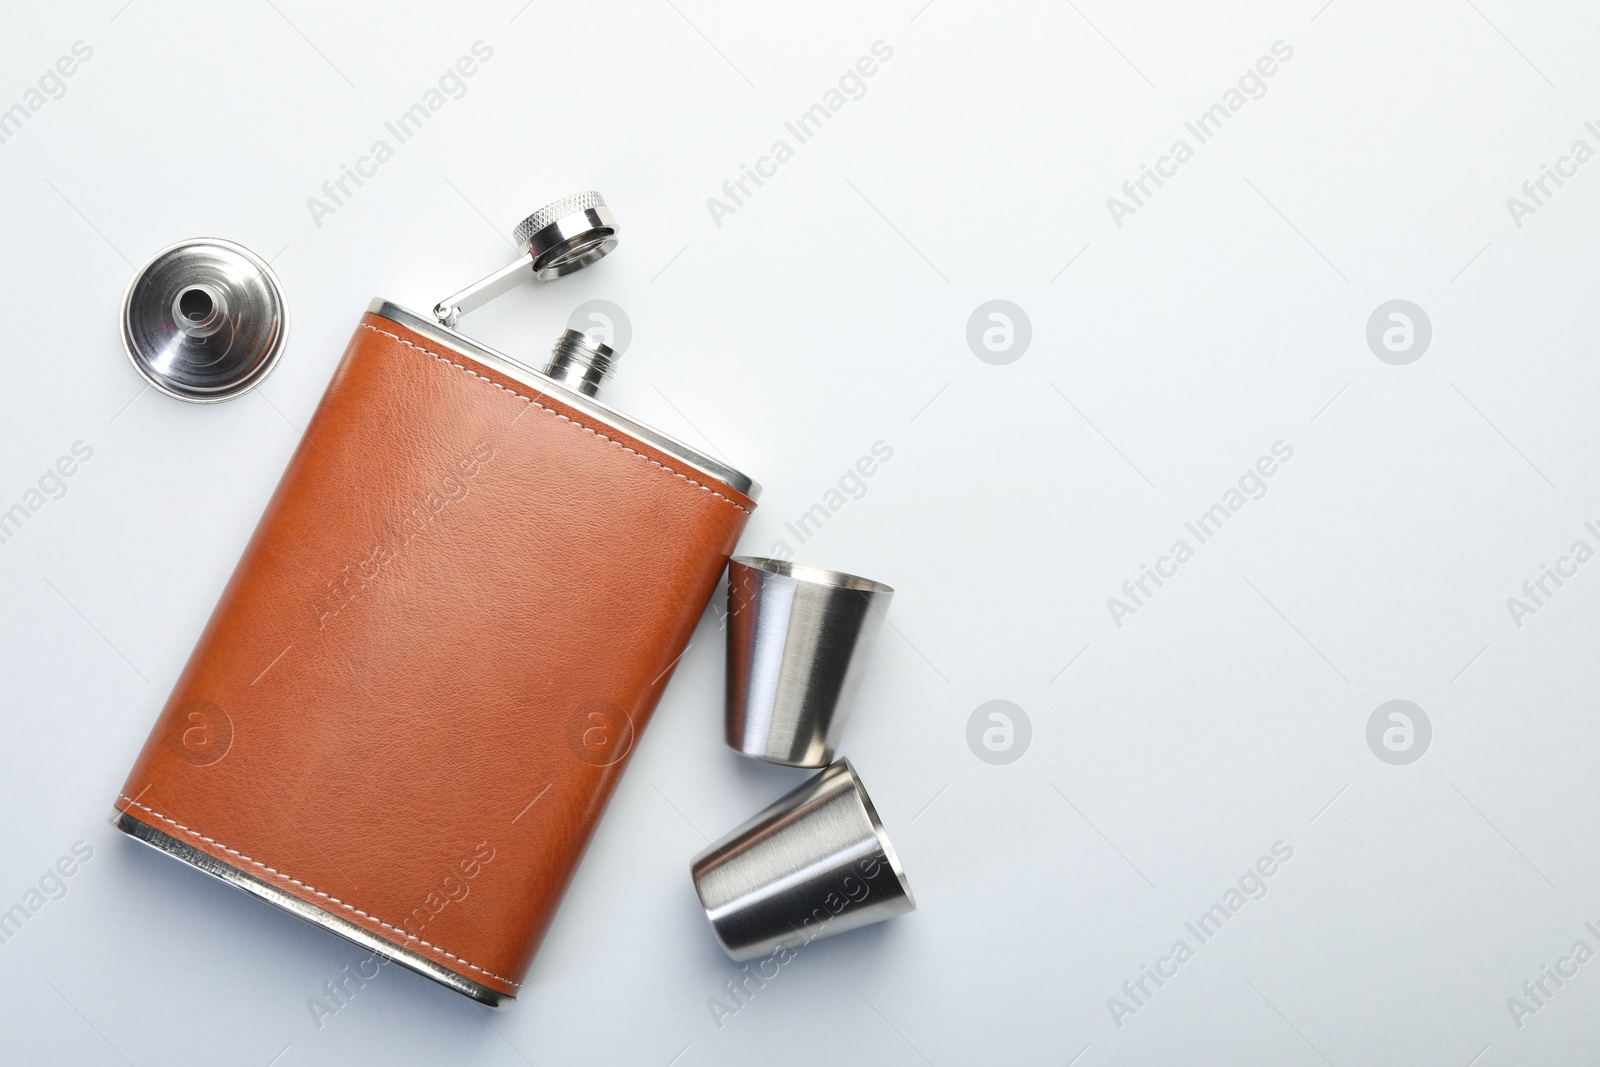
(826, 314)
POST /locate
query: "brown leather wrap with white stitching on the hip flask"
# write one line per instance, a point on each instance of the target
(434, 660)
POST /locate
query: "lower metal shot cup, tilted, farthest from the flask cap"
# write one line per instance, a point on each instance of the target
(812, 866)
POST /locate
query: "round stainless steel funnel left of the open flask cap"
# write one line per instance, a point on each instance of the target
(206, 321)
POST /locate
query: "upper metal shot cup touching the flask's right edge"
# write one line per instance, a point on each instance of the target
(796, 639)
